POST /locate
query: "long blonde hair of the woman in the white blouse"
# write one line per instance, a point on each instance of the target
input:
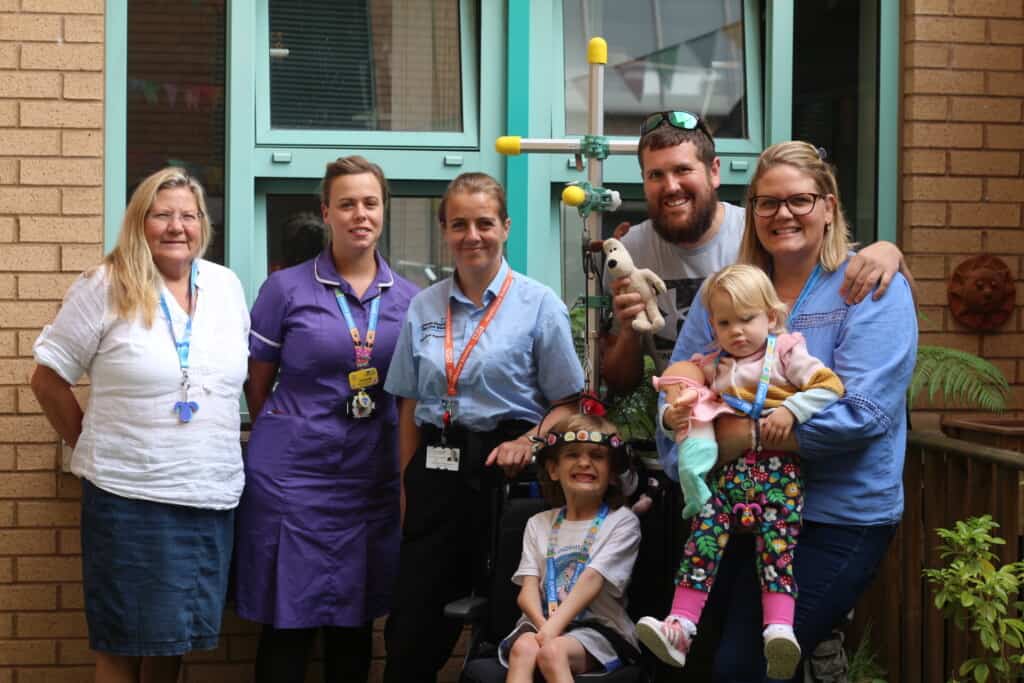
(135, 280)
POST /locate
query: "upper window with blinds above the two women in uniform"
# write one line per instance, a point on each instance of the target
(360, 73)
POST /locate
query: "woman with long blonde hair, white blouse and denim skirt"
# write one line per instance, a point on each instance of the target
(162, 335)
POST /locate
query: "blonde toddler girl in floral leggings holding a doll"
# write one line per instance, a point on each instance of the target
(761, 371)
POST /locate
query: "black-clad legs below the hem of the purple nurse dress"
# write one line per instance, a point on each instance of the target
(283, 654)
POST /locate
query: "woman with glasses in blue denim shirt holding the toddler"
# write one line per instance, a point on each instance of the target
(854, 451)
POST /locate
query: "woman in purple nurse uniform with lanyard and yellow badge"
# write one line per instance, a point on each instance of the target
(318, 528)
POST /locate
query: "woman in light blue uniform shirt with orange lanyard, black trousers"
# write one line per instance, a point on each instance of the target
(482, 359)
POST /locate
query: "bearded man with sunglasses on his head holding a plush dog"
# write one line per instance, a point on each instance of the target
(689, 236)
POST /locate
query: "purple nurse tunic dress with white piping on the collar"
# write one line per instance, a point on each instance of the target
(318, 525)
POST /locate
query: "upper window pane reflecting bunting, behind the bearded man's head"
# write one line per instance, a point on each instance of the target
(662, 56)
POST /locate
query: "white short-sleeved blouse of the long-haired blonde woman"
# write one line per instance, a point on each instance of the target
(133, 444)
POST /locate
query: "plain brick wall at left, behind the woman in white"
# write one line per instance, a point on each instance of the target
(52, 89)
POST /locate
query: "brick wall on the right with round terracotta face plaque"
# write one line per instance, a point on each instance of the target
(963, 181)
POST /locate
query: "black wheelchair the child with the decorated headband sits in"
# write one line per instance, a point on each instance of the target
(493, 617)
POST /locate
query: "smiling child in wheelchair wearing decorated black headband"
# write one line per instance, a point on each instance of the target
(577, 561)
